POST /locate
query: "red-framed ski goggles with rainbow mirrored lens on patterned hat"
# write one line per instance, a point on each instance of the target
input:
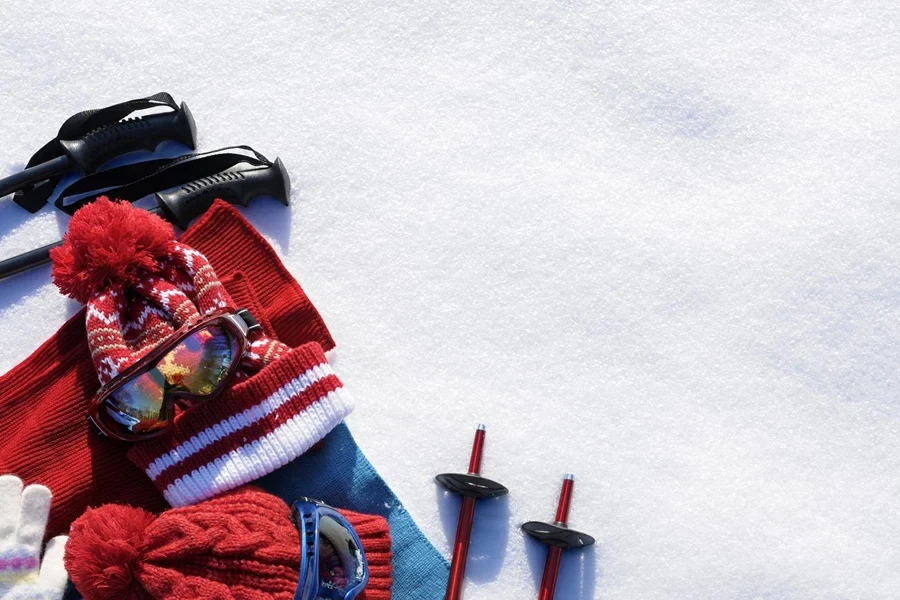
(192, 366)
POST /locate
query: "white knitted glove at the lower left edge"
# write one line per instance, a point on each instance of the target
(23, 518)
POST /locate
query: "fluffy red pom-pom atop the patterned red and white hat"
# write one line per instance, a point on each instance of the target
(109, 243)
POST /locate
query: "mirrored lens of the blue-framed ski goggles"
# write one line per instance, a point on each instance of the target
(341, 569)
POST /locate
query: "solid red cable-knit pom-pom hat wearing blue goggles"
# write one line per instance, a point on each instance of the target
(239, 546)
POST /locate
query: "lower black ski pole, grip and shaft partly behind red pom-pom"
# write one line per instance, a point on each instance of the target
(182, 205)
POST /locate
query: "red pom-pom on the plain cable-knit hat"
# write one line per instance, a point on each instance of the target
(103, 548)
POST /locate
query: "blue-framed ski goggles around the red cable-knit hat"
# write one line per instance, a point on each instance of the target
(332, 561)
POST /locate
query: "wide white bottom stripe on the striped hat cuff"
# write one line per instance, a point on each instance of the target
(263, 455)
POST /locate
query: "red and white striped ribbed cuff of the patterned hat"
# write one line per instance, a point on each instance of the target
(255, 427)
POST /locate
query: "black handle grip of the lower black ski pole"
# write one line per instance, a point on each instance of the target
(237, 185)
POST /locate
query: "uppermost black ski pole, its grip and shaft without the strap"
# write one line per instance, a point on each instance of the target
(90, 151)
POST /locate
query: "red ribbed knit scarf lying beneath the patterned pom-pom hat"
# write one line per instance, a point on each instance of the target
(46, 437)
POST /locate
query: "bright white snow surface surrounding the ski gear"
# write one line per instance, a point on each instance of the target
(653, 244)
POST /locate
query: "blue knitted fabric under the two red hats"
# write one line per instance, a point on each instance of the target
(342, 476)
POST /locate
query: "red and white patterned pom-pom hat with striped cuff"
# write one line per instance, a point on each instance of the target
(140, 285)
